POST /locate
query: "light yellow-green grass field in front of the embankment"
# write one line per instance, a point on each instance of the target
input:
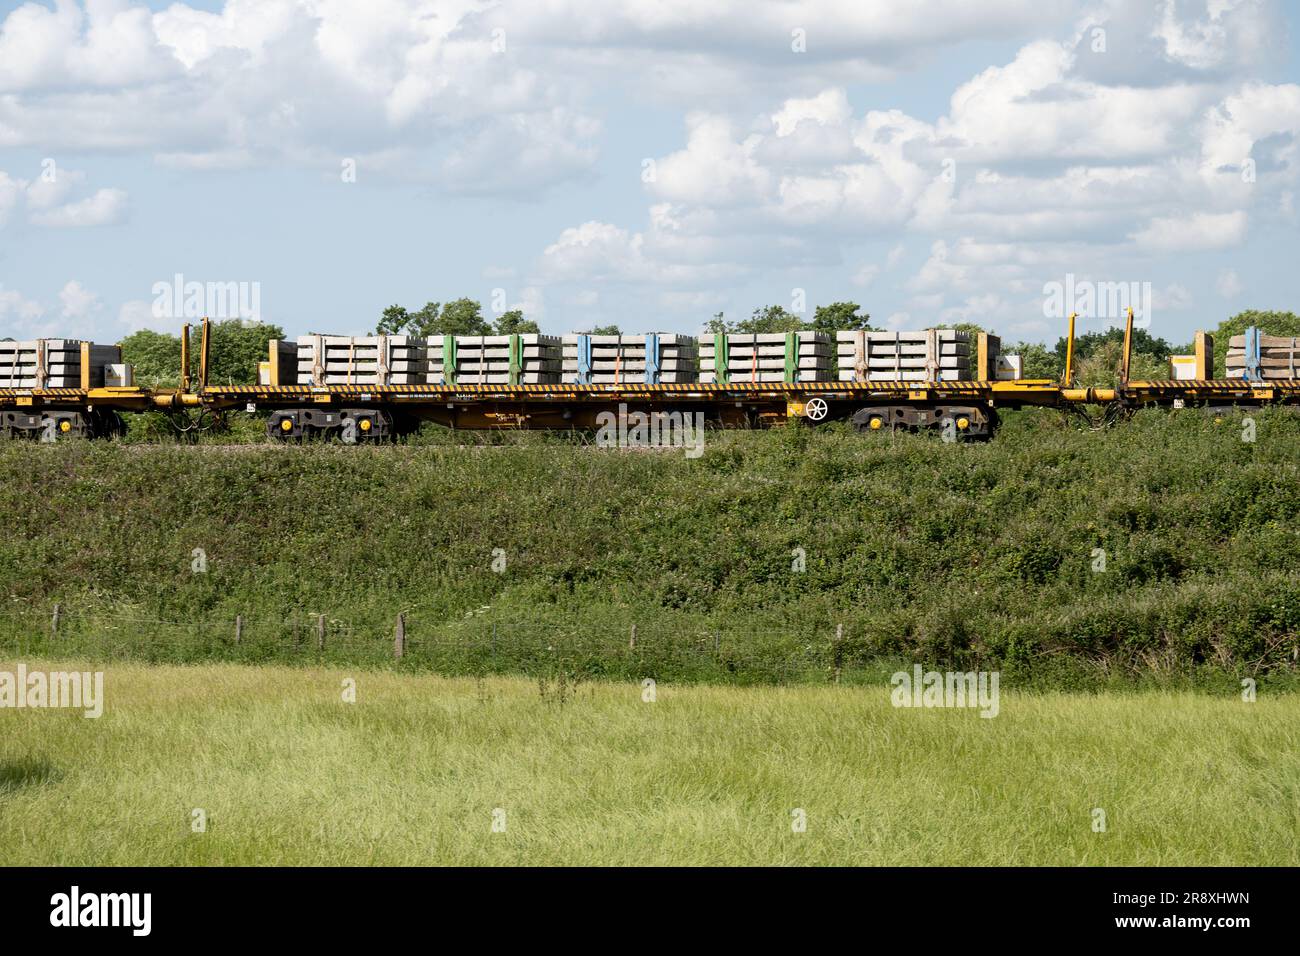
(413, 771)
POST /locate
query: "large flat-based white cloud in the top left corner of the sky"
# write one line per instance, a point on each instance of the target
(418, 85)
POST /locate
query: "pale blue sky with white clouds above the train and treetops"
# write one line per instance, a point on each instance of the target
(647, 165)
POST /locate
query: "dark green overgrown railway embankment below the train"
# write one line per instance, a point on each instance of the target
(973, 556)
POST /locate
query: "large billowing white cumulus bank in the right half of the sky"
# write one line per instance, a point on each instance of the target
(1035, 170)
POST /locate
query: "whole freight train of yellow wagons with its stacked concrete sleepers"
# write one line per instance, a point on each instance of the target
(379, 387)
